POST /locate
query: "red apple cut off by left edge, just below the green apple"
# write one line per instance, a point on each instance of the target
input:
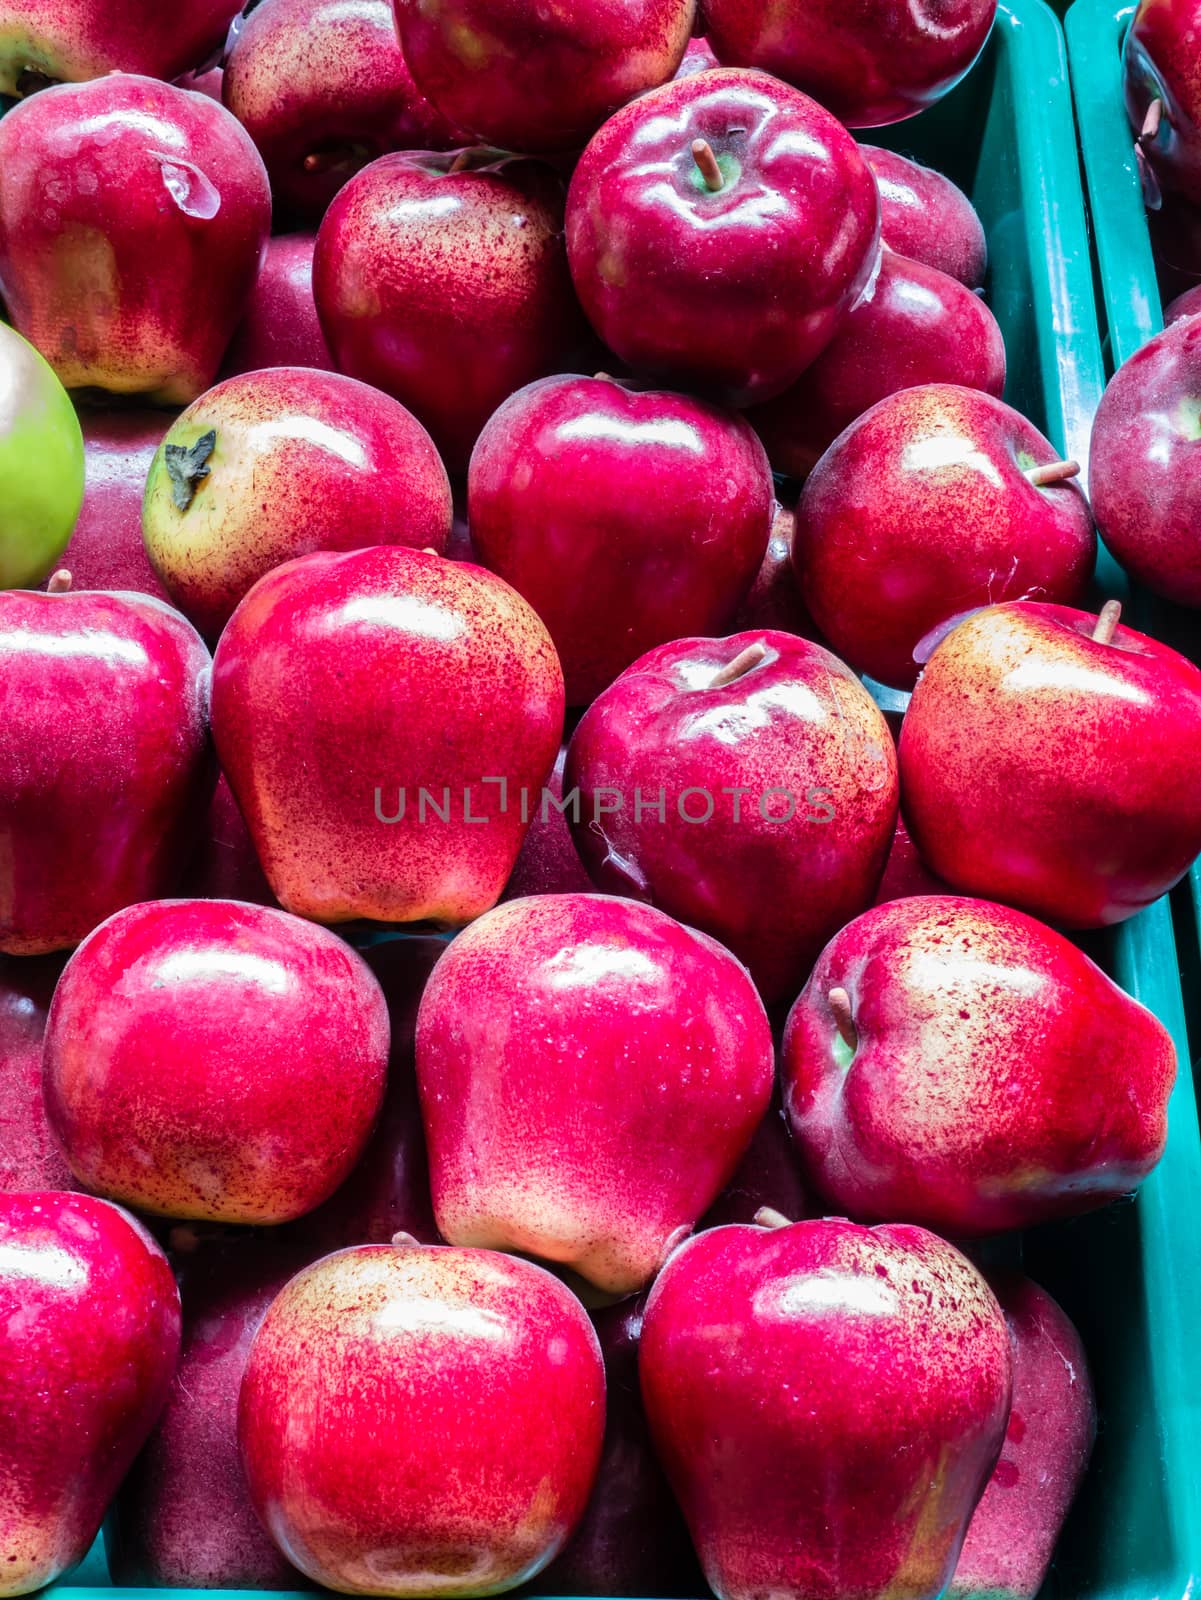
(105, 762)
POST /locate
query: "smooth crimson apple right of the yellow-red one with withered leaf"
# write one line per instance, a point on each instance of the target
(624, 518)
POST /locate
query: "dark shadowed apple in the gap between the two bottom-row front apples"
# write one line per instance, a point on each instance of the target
(632, 1538)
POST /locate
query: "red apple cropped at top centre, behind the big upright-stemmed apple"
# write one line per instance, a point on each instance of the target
(541, 79)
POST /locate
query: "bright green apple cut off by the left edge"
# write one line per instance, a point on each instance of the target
(41, 465)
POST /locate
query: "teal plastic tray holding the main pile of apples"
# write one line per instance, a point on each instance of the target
(1130, 1276)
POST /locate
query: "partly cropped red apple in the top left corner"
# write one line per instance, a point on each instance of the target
(79, 39)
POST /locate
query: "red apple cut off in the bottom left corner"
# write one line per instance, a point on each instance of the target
(89, 1343)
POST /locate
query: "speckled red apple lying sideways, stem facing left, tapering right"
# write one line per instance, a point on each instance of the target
(964, 1106)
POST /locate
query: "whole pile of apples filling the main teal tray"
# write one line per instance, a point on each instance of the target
(421, 567)
